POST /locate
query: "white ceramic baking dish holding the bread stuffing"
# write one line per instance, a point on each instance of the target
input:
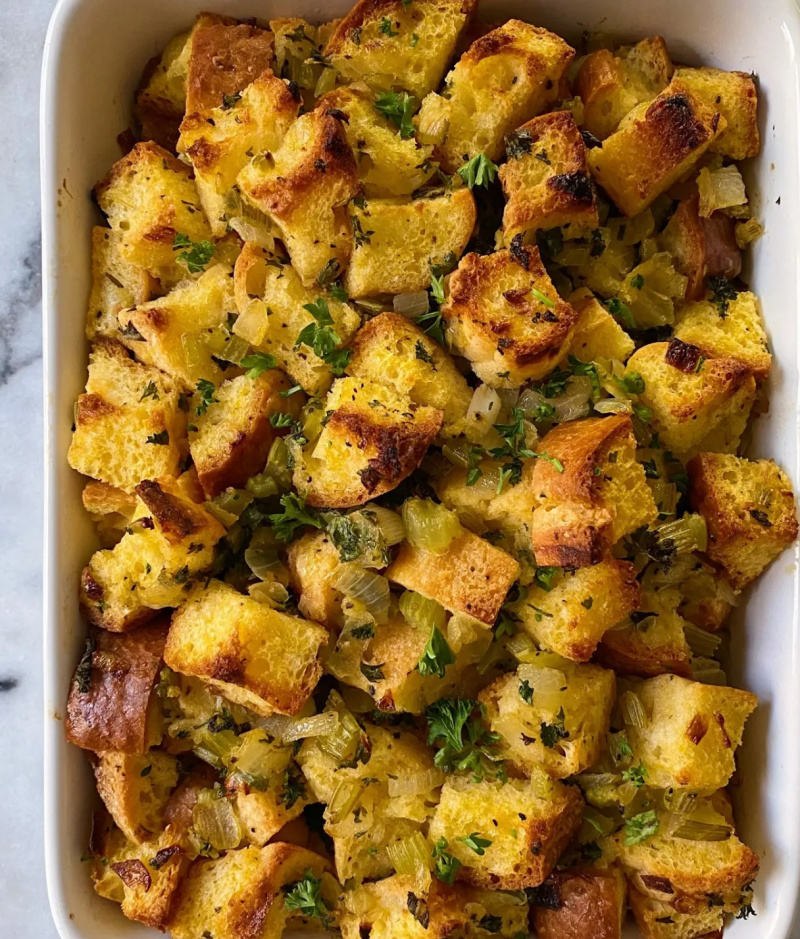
(94, 54)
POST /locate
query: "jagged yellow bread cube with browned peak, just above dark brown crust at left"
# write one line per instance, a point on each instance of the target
(153, 567)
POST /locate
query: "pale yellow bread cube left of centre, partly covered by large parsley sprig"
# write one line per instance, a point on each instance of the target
(272, 304)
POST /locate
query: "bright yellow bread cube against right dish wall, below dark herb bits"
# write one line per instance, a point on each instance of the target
(739, 334)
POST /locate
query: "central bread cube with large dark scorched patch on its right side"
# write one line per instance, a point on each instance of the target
(374, 438)
